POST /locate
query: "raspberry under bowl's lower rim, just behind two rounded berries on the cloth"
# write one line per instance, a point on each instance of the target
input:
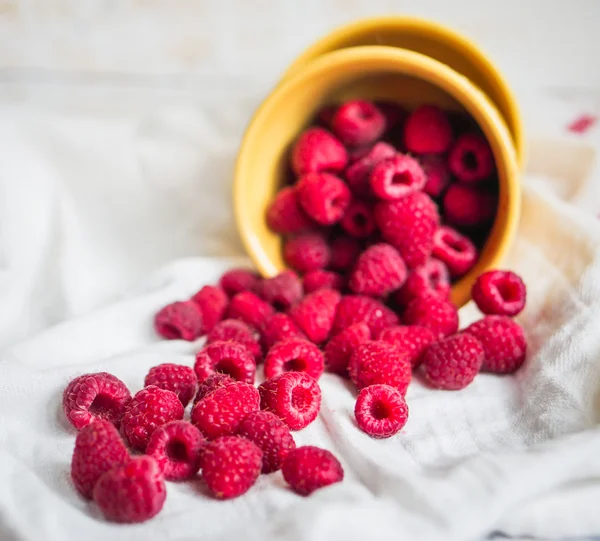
(439, 315)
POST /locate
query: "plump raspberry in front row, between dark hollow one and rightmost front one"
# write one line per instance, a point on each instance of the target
(230, 466)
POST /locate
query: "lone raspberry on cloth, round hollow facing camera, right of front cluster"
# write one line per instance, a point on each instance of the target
(380, 411)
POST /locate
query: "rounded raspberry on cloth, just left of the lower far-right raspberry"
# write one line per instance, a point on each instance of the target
(453, 362)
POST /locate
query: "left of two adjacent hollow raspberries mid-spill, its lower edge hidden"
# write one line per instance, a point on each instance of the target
(231, 358)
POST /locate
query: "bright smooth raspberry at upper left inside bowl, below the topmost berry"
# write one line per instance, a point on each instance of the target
(318, 150)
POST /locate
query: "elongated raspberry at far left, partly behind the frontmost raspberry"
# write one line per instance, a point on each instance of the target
(98, 448)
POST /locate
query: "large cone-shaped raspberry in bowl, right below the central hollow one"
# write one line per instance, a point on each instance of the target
(408, 224)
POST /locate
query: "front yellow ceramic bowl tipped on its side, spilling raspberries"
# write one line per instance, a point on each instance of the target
(371, 72)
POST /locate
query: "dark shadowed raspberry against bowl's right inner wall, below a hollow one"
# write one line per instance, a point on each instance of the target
(468, 206)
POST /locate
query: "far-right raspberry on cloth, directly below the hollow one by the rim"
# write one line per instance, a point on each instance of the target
(503, 341)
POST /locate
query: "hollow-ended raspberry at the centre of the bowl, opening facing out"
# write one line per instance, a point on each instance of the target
(396, 177)
